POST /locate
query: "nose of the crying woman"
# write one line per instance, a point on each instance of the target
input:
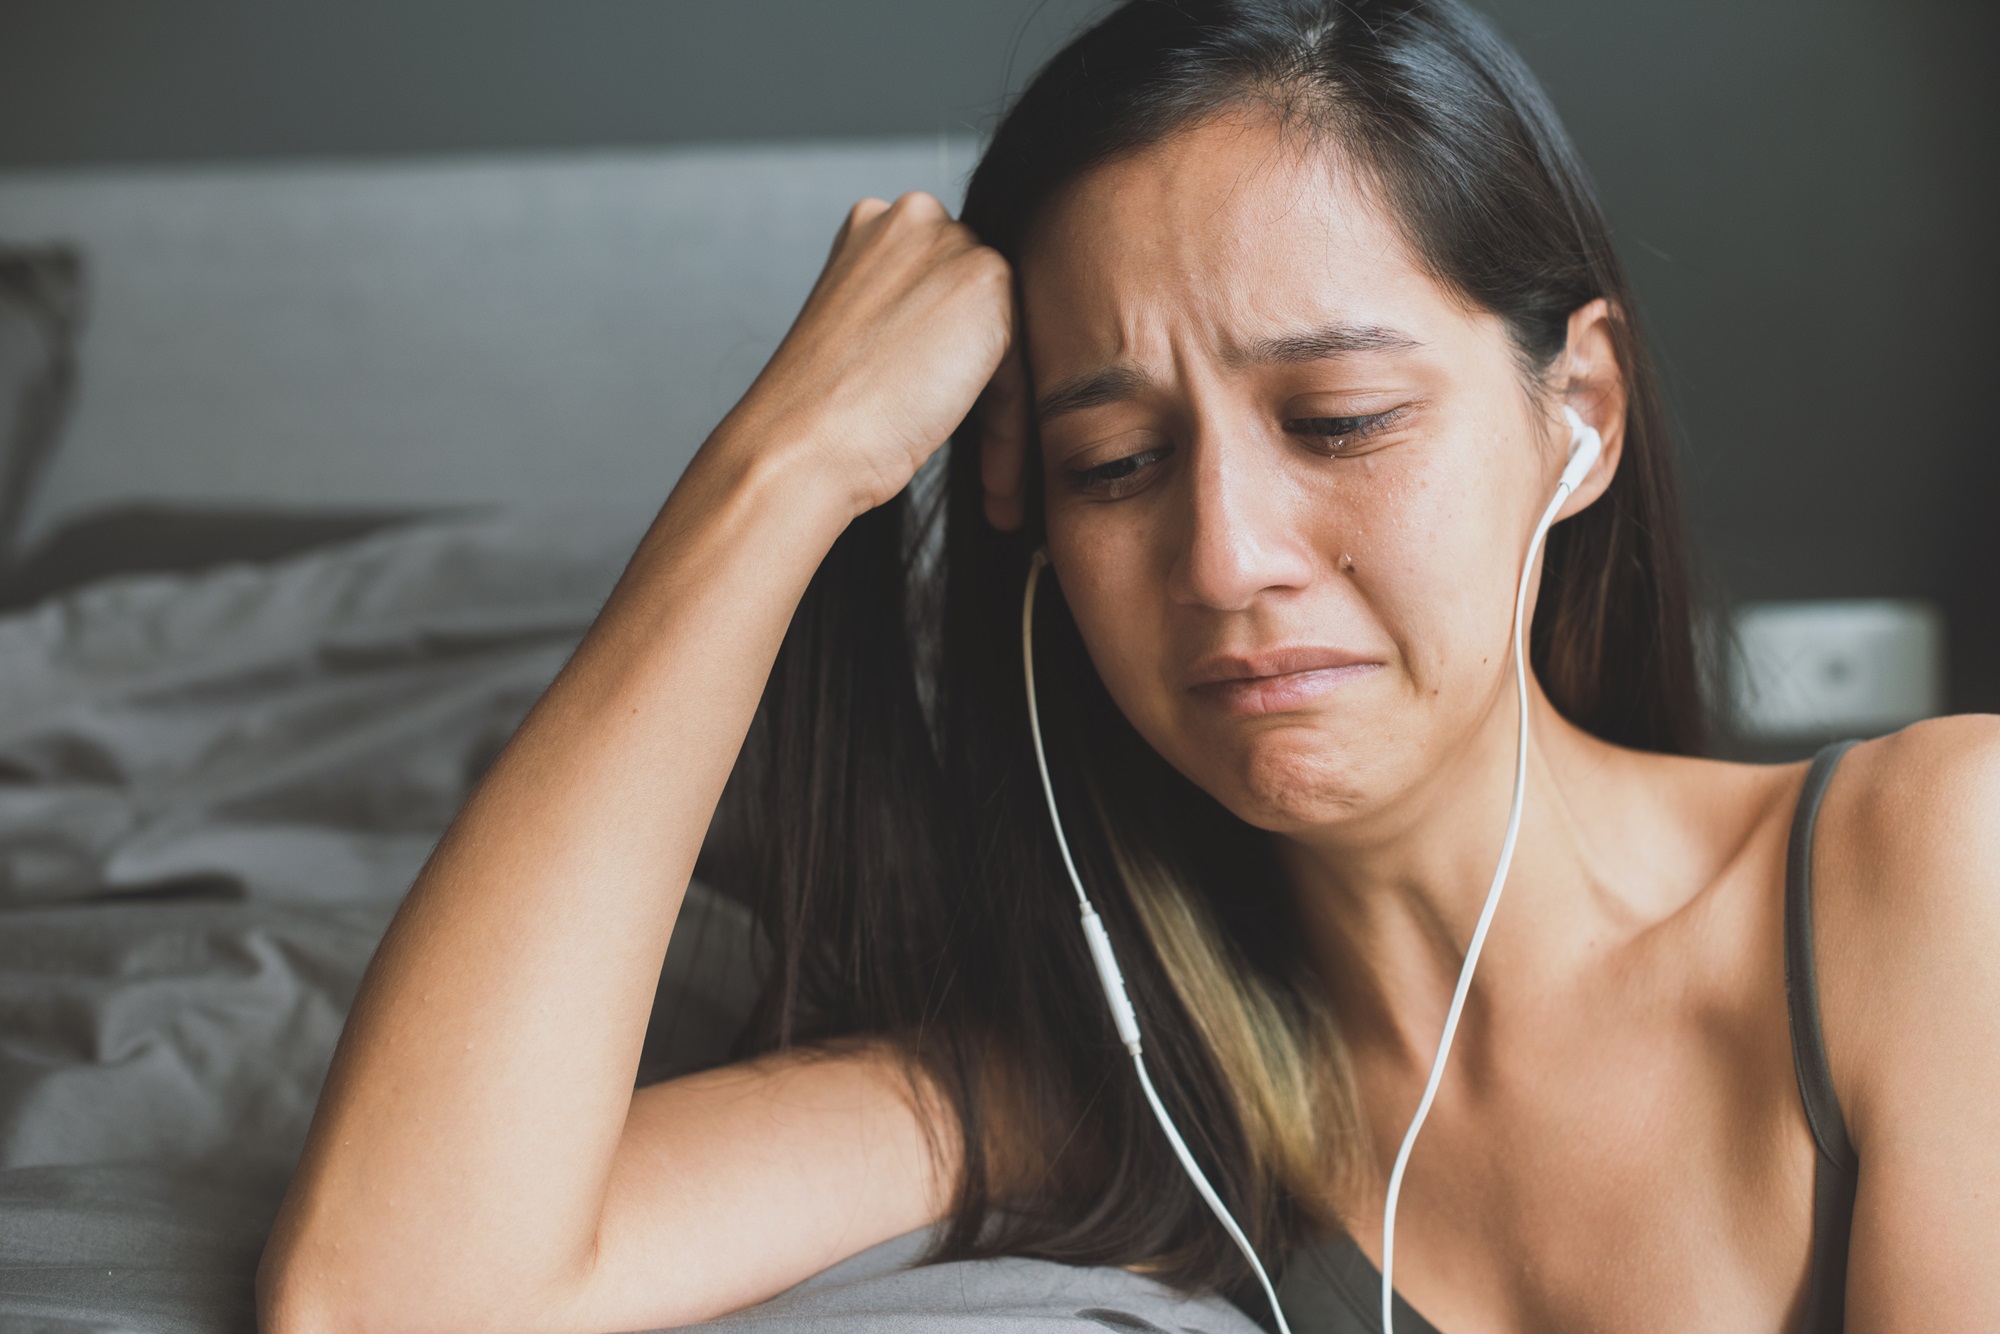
(1241, 527)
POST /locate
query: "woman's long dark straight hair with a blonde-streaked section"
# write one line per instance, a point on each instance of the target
(885, 817)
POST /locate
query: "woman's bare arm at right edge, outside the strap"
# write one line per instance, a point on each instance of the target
(1909, 947)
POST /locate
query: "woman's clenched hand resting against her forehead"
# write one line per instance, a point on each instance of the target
(897, 341)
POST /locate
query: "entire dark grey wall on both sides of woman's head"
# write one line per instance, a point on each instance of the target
(1805, 191)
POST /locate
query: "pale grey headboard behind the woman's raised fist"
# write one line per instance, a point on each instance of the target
(543, 331)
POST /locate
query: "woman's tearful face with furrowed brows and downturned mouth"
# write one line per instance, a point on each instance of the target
(1289, 477)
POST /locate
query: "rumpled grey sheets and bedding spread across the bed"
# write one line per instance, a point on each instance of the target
(213, 793)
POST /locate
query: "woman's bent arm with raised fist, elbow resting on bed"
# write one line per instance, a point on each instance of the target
(479, 1157)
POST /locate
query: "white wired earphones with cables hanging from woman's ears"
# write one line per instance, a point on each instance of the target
(1585, 449)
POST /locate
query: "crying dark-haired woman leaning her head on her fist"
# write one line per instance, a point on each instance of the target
(1263, 319)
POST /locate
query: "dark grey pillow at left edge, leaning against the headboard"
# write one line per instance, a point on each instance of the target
(41, 311)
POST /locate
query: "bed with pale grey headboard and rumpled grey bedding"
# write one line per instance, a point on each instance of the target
(333, 501)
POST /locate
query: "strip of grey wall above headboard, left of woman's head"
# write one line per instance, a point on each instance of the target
(201, 79)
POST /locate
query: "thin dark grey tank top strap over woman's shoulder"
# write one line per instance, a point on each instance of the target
(1837, 1167)
